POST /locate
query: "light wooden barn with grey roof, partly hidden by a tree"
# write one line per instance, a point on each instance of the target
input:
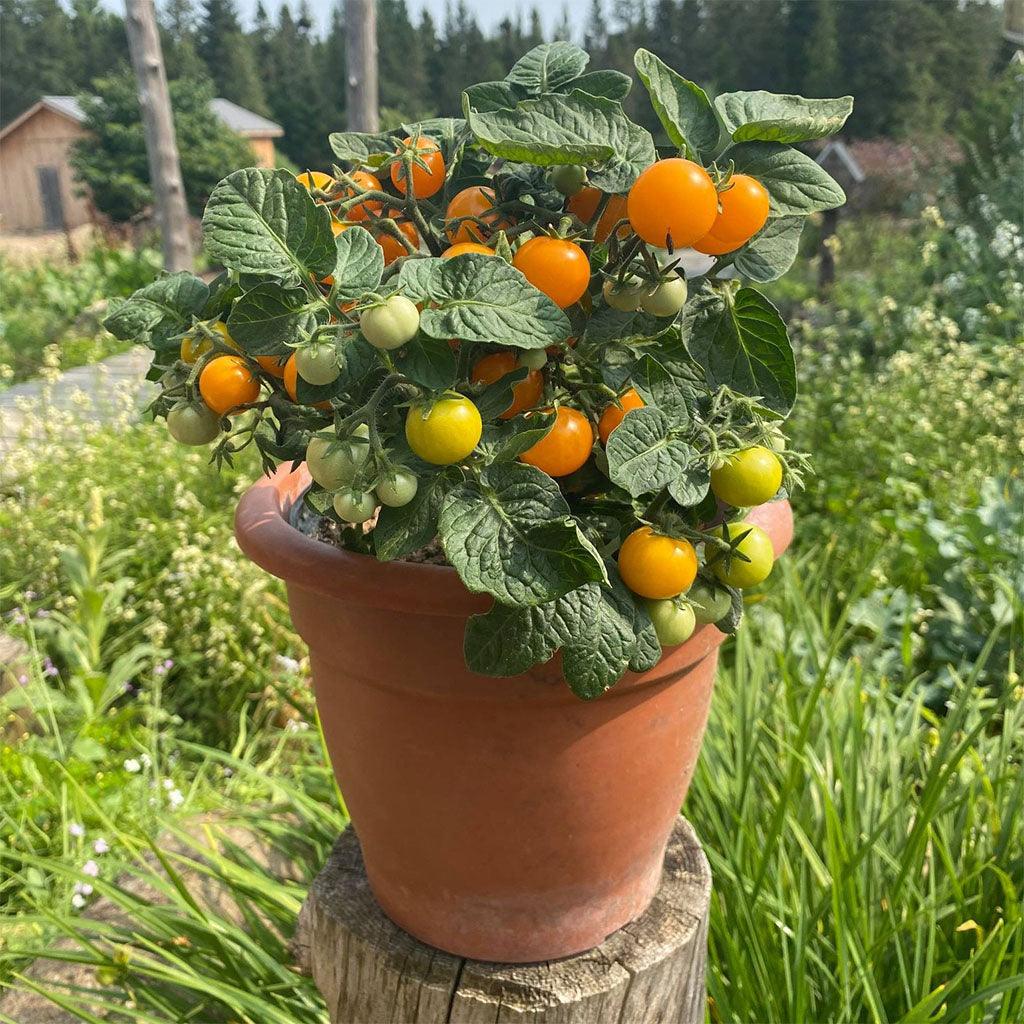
(37, 188)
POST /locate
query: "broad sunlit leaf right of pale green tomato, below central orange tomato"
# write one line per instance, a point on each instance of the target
(484, 300)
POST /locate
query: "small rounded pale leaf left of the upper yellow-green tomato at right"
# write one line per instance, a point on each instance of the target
(647, 452)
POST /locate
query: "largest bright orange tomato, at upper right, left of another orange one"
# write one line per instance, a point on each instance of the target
(674, 201)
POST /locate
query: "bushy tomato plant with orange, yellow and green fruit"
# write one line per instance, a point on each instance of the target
(480, 331)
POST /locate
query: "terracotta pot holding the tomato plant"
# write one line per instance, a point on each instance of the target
(500, 820)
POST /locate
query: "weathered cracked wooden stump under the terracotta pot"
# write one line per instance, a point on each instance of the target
(372, 972)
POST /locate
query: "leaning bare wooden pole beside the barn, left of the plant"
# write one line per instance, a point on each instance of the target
(161, 145)
